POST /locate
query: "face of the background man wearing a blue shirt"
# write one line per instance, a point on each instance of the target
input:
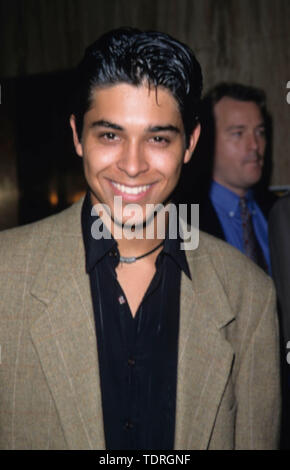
(240, 144)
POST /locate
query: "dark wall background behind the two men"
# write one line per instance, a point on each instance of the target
(42, 40)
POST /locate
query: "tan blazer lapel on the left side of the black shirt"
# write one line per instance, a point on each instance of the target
(64, 335)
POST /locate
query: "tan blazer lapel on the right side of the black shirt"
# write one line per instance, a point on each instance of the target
(205, 357)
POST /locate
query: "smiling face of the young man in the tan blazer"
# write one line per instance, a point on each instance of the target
(133, 145)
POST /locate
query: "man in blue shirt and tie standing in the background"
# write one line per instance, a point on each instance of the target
(231, 210)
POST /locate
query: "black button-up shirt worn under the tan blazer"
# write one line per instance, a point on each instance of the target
(137, 355)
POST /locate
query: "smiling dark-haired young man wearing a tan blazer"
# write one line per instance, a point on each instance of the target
(134, 344)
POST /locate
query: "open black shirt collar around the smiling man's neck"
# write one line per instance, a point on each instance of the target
(96, 249)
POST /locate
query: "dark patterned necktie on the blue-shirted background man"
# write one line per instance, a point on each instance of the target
(251, 245)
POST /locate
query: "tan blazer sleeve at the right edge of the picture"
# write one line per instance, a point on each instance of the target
(258, 382)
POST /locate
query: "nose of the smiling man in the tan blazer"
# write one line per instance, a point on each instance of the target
(133, 160)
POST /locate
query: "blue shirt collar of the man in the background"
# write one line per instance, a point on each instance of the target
(226, 200)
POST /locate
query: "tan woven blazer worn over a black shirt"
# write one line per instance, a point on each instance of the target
(228, 394)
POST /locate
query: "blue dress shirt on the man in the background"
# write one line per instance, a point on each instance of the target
(226, 205)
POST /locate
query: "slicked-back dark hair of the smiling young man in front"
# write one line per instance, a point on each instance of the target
(128, 55)
